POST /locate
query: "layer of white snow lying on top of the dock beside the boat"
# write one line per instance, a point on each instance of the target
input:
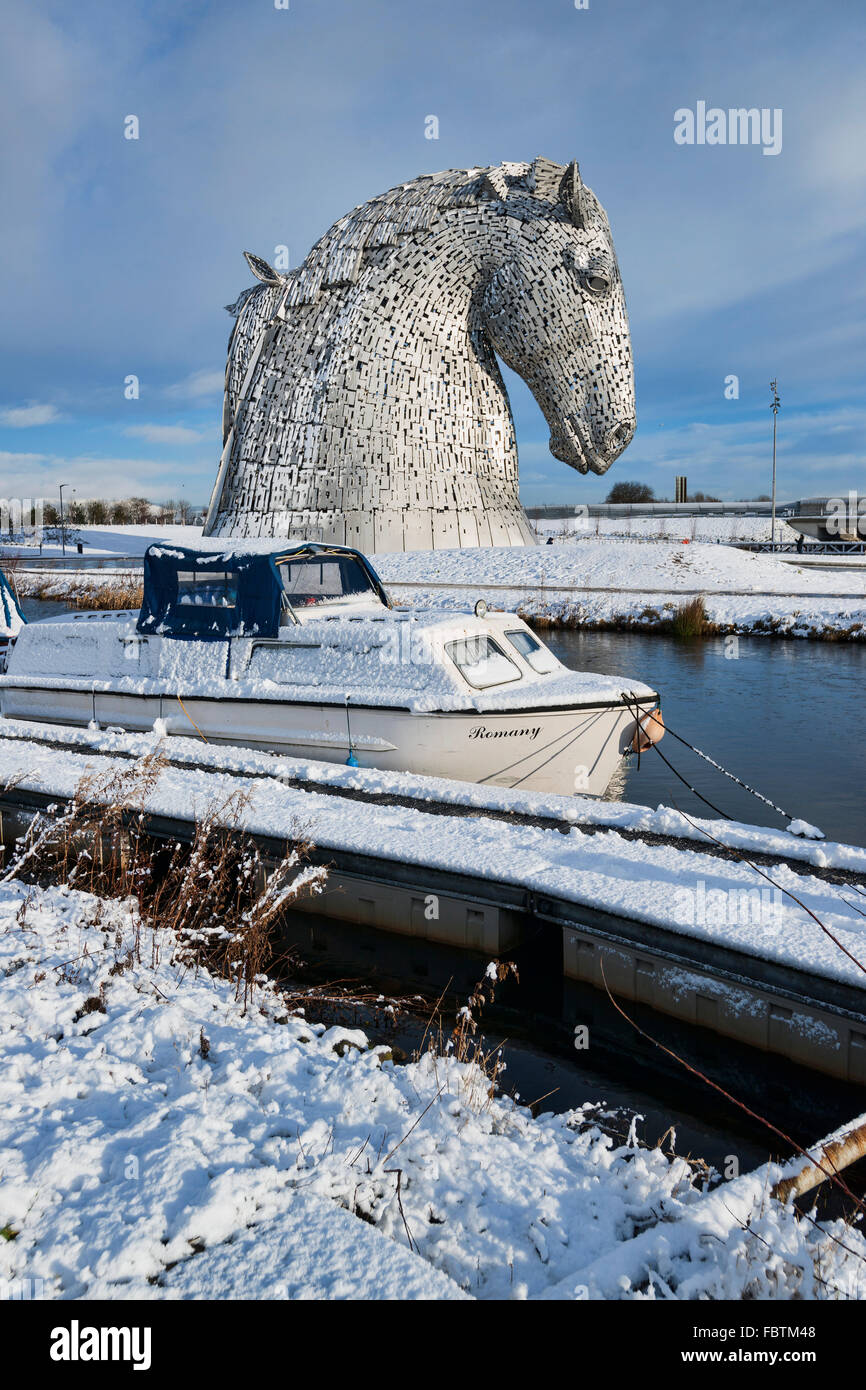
(653, 883)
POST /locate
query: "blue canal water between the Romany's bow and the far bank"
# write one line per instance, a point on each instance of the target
(785, 717)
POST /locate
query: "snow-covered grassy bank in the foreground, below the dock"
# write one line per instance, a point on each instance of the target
(159, 1142)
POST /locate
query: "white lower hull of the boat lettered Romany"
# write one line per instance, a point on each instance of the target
(562, 751)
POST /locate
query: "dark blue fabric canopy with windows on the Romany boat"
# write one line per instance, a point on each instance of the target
(243, 590)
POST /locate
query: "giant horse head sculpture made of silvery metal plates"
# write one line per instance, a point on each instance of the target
(365, 402)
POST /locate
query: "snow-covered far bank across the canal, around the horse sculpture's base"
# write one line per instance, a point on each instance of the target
(619, 573)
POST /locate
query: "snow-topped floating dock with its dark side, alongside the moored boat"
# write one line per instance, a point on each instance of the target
(675, 919)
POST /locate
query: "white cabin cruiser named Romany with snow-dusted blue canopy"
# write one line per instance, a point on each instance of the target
(298, 650)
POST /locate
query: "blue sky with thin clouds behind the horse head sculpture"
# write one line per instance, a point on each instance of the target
(259, 127)
